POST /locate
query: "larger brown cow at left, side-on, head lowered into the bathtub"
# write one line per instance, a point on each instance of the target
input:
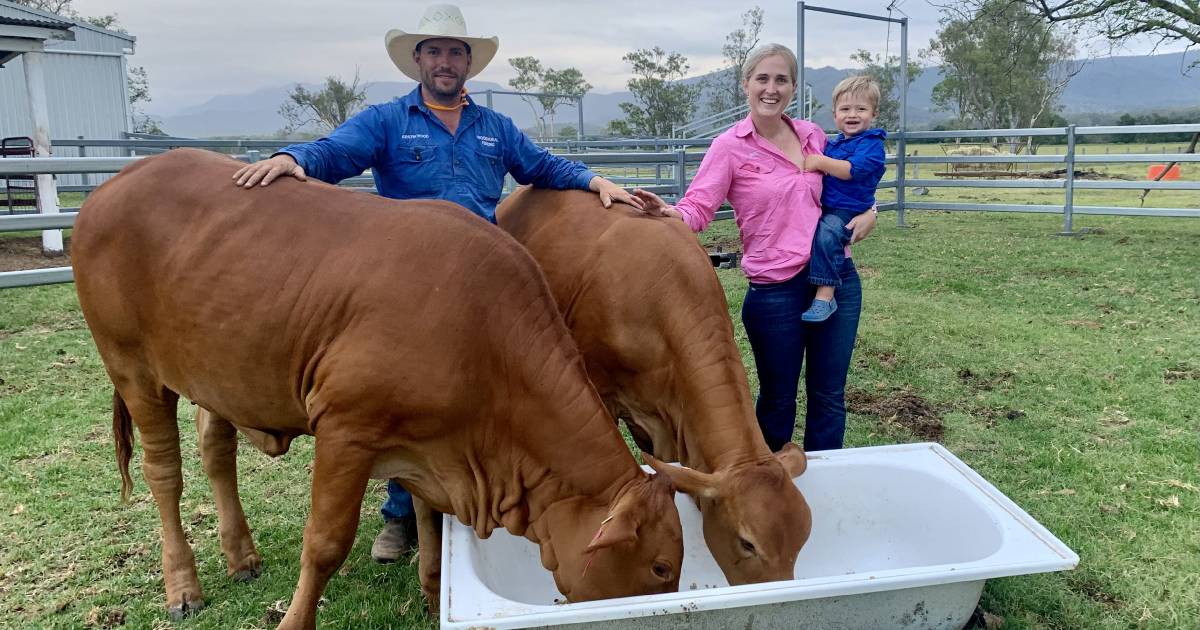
(411, 339)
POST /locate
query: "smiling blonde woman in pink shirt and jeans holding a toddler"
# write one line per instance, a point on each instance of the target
(759, 166)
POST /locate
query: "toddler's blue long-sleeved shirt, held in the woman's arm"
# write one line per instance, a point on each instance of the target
(866, 155)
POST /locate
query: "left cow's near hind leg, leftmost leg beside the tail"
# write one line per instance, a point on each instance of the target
(154, 412)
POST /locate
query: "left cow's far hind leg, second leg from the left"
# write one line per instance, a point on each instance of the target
(219, 449)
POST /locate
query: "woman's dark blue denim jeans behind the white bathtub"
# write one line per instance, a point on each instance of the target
(781, 340)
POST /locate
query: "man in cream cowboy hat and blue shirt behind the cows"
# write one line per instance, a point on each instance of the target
(434, 143)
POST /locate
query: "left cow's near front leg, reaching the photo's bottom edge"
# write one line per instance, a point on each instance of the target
(340, 475)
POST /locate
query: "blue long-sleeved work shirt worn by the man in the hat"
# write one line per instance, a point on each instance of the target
(415, 157)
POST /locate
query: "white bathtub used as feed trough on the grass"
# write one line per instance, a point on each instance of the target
(903, 537)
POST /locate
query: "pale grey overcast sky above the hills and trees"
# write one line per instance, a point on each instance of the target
(194, 50)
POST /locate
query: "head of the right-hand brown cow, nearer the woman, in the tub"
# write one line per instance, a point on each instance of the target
(755, 519)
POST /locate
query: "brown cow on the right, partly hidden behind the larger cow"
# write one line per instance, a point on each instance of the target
(643, 302)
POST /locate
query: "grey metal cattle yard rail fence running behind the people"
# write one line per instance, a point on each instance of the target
(670, 164)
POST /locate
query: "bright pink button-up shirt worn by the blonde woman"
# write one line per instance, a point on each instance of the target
(776, 203)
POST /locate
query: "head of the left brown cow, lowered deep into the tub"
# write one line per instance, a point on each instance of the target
(631, 548)
